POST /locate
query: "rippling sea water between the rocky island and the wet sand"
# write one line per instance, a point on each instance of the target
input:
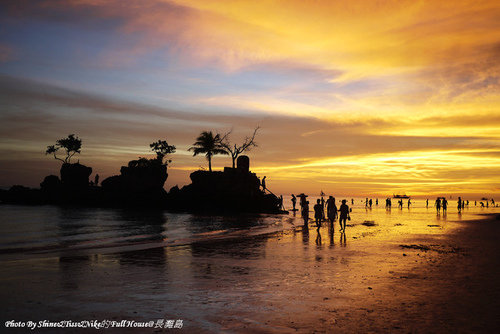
(45, 230)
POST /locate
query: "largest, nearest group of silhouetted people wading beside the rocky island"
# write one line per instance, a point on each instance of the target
(332, 212)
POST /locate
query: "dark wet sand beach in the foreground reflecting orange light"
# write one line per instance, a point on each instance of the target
(290, 282)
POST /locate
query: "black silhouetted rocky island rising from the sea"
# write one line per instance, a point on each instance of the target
(141, 184)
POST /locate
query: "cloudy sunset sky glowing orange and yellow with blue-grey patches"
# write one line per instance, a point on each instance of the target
(364, 98)
